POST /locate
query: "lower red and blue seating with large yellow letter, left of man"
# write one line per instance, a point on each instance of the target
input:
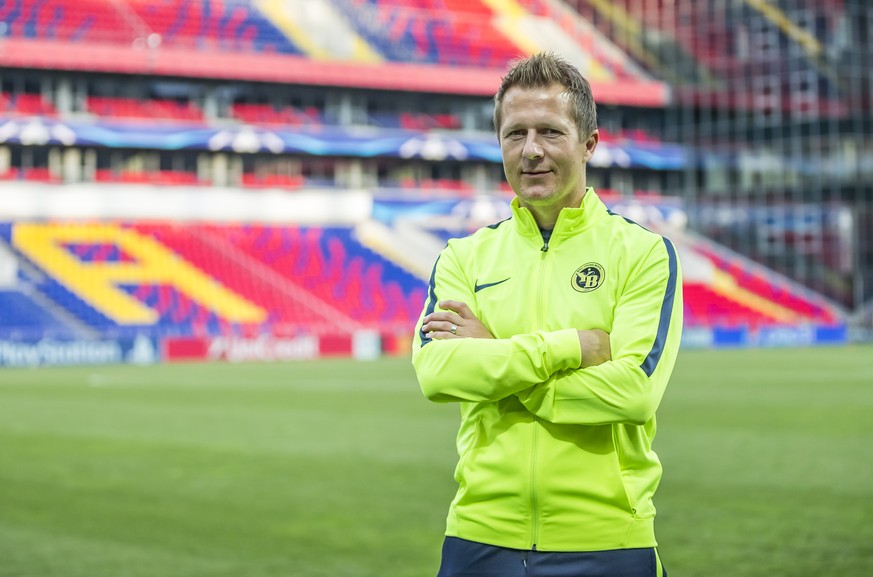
(289, 280)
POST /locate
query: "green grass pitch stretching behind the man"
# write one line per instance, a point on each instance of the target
(343, 469)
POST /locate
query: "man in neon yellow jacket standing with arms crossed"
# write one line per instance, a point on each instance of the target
(556, 332)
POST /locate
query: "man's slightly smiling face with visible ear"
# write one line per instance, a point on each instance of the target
(543, 157)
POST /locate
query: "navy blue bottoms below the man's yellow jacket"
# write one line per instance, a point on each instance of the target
(462, 558)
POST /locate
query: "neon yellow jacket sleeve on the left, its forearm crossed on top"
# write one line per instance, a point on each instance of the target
(483, 369)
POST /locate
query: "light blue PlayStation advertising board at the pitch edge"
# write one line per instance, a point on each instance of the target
(46, 352)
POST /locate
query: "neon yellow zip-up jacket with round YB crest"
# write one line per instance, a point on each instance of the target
(553, 457)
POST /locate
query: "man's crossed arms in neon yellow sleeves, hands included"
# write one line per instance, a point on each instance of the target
(564, 376)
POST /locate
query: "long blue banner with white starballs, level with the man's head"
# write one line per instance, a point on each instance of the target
(361, 142)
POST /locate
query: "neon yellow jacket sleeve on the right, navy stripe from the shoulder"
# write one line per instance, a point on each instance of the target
(645, 339)
